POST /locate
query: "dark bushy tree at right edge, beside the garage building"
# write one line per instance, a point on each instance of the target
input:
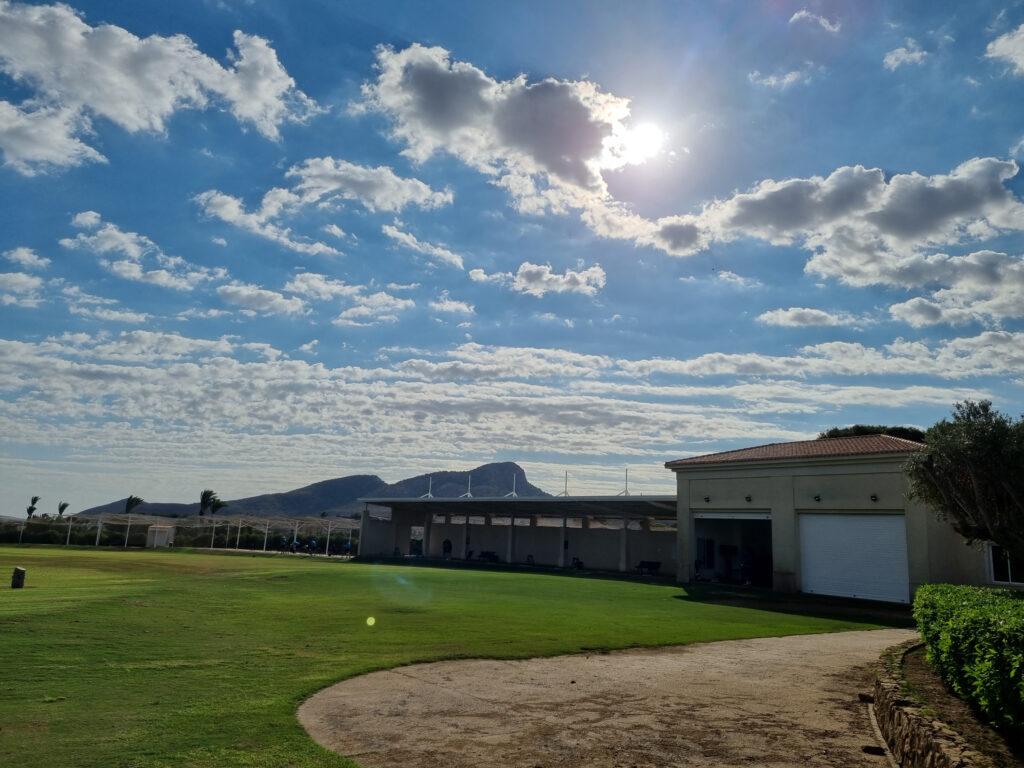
(970, 473)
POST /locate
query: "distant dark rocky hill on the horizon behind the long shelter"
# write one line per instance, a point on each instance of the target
(340, 496)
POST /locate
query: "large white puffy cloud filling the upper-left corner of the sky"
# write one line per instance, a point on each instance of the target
(78, 73)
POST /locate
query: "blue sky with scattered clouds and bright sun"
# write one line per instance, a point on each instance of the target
(253, 245)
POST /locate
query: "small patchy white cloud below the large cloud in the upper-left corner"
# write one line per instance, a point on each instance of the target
(126, 254)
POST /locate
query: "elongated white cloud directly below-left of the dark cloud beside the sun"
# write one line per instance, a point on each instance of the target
(329, 180)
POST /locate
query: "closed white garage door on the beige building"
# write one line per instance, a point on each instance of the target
(855, 557)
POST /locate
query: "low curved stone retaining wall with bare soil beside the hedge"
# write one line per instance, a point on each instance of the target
(917, 741)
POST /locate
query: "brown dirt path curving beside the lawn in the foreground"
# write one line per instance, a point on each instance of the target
(772, 702)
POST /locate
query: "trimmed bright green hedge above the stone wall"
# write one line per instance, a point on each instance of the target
(975, 643)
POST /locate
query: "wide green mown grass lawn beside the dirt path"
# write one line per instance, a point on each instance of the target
(179, 659)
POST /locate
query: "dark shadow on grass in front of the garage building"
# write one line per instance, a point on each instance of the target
(895, 616)
